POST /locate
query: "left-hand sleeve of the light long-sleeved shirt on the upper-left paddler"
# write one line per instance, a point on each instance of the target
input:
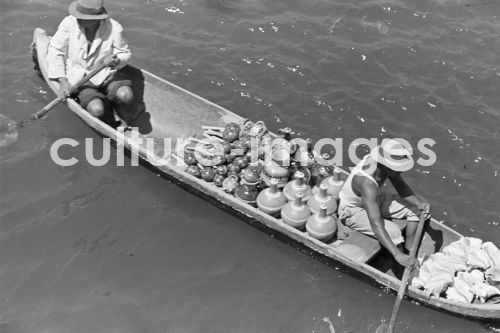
(57, 52)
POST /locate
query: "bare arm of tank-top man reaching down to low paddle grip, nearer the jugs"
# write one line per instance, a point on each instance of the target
(369, 193)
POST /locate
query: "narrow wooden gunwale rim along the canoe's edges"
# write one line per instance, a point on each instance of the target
(483, 311)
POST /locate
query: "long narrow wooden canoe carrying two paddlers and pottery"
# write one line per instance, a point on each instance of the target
(165, 110)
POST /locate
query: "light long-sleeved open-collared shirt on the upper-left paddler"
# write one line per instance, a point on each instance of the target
(69, 55)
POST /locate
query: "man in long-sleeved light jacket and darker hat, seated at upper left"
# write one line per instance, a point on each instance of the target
(85, 39)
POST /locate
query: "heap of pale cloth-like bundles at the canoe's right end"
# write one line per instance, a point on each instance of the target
(467, 271)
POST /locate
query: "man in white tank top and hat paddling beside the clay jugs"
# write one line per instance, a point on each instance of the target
(363, 205)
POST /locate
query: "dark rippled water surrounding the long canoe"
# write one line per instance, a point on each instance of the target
(117, 249)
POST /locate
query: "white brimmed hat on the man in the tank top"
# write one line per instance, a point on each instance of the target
(394, 154)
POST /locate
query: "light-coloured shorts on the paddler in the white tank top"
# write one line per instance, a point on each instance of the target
(391, 206)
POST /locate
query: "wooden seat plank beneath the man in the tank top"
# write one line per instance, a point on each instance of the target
(360, 247)
